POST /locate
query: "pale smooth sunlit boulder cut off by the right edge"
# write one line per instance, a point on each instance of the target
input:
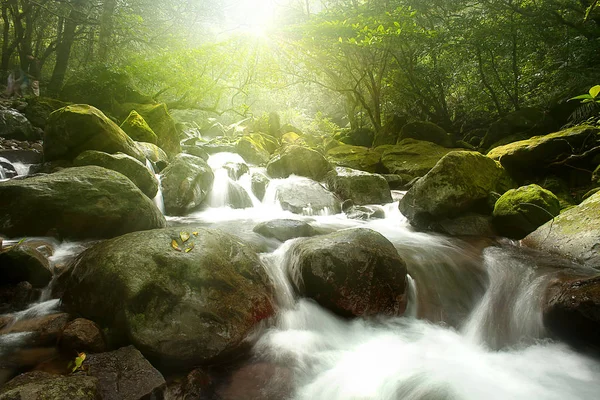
(574, 234)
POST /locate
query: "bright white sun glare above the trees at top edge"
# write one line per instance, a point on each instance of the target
(253, 17)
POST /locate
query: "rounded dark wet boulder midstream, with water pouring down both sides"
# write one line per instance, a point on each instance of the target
(352, 272)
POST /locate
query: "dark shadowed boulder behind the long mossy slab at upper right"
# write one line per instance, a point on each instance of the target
(528, 121)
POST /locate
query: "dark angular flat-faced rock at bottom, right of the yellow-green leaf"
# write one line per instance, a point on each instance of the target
(125, 374)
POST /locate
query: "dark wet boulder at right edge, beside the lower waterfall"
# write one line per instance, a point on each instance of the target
(572, 311)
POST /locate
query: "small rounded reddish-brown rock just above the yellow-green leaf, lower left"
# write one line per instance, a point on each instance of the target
(82, 335)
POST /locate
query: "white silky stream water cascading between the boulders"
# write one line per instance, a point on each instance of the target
(472, 330)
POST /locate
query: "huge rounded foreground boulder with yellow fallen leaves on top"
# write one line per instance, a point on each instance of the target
(185, 307)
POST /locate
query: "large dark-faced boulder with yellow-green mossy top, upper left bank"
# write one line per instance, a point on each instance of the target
(74, 129)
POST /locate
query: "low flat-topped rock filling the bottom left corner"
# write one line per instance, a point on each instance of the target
(44, 386)
